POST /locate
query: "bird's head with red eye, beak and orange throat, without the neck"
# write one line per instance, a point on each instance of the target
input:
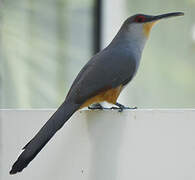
(140, 24)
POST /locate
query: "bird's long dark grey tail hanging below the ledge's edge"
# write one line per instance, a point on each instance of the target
(31, 149)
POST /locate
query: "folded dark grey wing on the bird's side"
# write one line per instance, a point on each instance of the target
(104, 71)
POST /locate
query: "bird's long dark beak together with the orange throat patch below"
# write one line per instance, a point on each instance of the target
(154, 19)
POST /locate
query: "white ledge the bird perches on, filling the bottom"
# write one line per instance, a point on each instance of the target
(149, 144)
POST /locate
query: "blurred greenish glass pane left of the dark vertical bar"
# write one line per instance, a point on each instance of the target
(43, 46)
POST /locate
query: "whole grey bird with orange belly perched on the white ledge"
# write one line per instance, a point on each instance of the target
(101, 80)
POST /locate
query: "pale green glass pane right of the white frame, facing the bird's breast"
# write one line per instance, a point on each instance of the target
(166, 74)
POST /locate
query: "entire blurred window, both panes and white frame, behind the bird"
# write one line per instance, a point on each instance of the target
(44, 44)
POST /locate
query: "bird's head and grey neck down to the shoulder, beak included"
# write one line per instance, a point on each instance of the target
(135, 31)
